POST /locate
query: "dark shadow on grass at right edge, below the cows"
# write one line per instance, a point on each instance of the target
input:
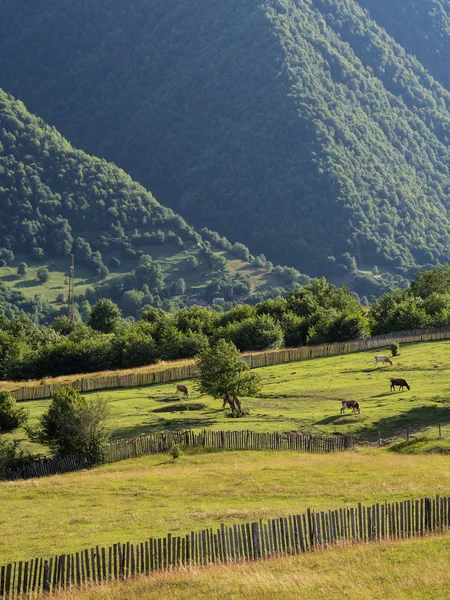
(416, 418)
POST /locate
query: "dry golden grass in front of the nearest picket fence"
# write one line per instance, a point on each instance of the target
(409, 570)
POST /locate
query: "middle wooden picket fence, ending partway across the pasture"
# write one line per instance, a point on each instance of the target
(162, 442)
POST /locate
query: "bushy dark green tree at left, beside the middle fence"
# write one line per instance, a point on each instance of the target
(72, 425)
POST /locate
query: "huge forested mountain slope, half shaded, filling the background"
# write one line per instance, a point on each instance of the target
(300, 127)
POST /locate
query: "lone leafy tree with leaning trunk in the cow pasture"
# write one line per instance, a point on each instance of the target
(223, 374)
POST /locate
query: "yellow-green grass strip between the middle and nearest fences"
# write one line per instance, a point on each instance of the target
(150, 496)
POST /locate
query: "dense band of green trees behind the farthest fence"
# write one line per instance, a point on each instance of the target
(315, 313)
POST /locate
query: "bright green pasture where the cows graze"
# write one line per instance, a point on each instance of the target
(303, 396)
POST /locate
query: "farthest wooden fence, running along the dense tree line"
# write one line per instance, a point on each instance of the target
(274, 357)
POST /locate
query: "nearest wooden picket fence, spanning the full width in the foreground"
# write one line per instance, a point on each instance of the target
(257, 540)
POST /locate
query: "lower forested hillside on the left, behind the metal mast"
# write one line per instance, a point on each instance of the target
(56, 200)
